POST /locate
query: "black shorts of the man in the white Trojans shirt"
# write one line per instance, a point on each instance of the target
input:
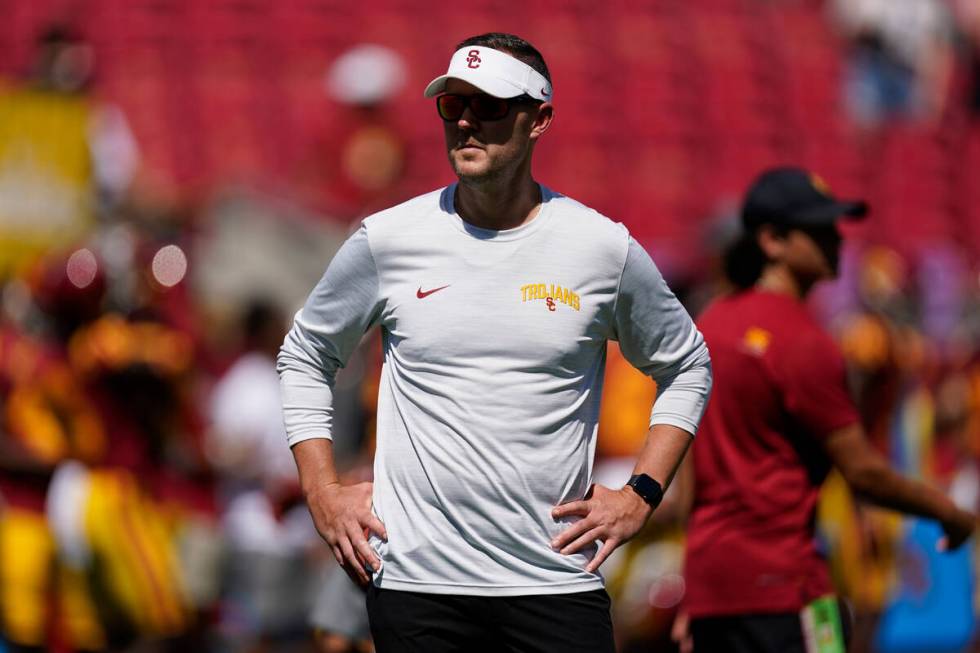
(410, 622)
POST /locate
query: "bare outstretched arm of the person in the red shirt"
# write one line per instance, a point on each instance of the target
(871, 477)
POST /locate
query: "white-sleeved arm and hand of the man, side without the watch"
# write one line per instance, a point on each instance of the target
(340, 309)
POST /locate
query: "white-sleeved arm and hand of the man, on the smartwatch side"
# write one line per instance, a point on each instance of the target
(658, 337)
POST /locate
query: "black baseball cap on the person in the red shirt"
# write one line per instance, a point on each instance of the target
(794, 197)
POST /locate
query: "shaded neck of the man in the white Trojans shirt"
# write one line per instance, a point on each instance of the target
(498, 206)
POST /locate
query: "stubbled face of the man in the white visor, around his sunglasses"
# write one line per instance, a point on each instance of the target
(483, 150)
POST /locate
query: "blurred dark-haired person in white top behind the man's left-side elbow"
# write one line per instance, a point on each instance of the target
(268, 576)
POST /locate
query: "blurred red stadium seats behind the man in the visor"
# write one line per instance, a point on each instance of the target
(665, 108)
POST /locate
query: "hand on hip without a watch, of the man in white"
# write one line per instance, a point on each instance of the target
(343, 517)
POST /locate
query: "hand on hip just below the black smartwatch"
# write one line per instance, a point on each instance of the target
(613, 516)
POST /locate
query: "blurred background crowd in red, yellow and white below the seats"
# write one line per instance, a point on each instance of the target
(147, 499)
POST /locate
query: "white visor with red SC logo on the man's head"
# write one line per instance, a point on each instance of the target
(493, 72)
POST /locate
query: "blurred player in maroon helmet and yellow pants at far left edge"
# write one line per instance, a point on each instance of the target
(46, 419)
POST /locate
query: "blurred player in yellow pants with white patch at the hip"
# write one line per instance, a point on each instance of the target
(125, 519)
